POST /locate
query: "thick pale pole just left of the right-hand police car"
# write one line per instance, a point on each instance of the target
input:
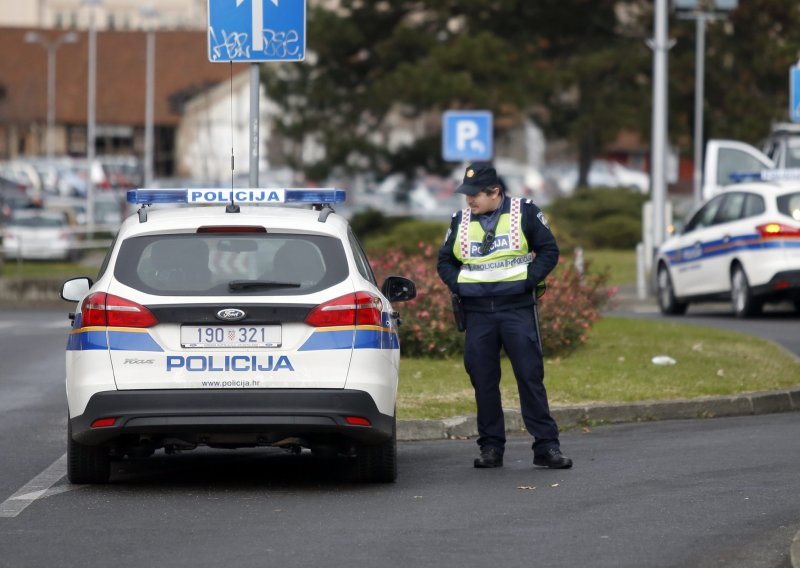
(659, 136)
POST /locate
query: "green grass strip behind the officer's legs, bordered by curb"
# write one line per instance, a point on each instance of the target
(615, 366)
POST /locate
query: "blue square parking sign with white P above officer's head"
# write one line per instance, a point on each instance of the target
(467, 136)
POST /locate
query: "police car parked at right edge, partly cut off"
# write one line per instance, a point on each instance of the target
(742, 245)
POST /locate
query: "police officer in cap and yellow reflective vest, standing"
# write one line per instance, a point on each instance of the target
(496, 252)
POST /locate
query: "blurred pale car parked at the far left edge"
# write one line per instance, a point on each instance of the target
(39, 235)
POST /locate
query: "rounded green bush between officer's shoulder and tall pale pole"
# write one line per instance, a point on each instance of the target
(598, 218)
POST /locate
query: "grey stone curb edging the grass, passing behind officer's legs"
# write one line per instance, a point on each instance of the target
(569, 417)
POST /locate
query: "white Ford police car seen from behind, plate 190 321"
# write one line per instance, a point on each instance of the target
(231, 326)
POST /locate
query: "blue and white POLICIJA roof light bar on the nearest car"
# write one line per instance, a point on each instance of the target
(244, 195)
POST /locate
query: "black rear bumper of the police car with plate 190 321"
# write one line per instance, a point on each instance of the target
(228, 417)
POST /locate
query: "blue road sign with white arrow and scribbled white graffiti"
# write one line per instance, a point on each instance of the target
(252, 31)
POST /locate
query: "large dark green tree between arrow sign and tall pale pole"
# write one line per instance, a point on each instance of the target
(558, 61)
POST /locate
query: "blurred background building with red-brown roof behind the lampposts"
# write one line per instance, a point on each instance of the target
(182, 72)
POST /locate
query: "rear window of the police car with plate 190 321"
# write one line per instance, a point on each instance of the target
(231, 265)
